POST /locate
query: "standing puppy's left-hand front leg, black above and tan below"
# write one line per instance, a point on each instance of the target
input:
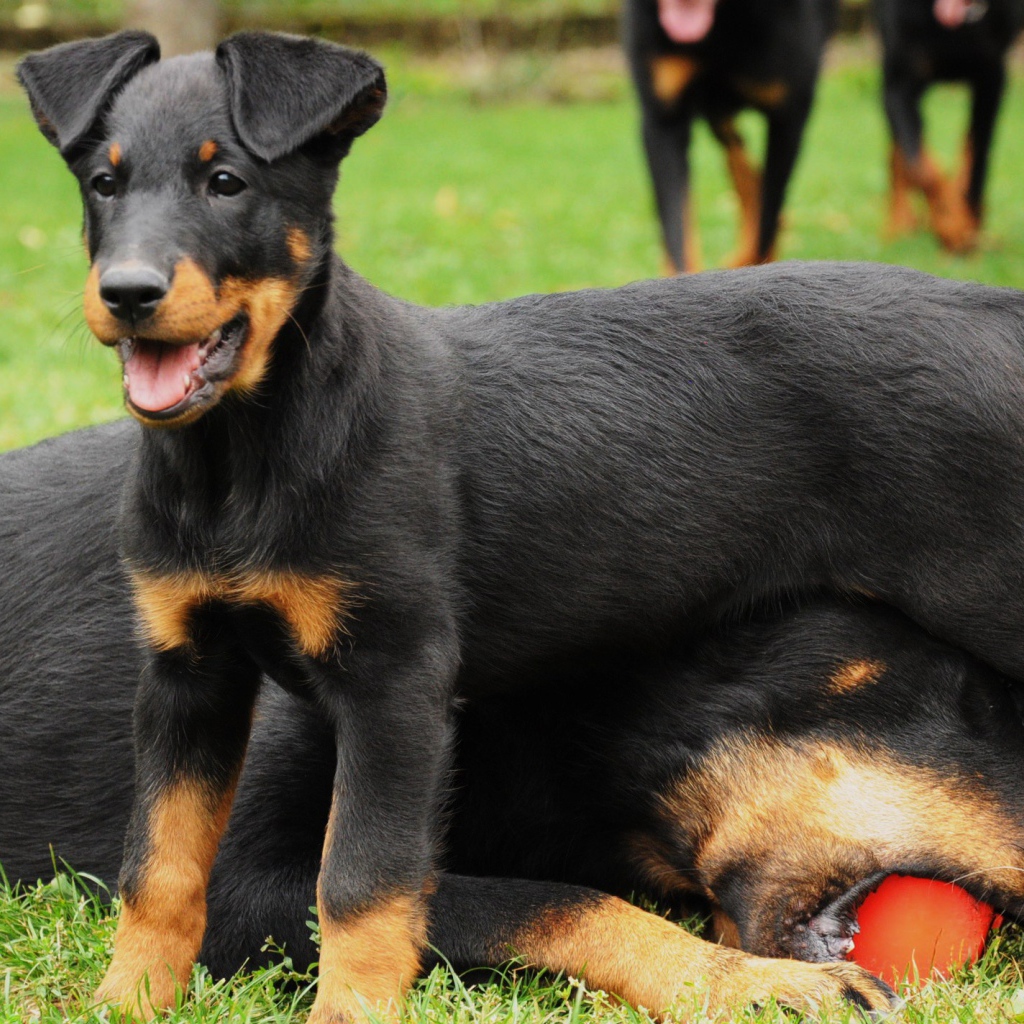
(193, 717)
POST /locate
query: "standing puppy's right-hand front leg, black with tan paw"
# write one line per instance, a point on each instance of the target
(392, 720)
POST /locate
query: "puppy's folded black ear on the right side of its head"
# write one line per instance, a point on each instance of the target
(287, 92)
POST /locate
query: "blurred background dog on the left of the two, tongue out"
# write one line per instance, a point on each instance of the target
(713, 59)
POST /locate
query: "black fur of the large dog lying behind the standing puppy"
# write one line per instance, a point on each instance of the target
(557, 788)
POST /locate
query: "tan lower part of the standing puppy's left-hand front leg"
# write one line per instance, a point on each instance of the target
(161, 928)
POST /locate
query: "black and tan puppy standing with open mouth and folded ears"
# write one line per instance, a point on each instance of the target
(389, 509)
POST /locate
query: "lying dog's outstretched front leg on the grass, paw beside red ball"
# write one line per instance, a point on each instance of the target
(629, 953)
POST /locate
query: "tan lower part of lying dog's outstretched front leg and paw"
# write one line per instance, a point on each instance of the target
(651, 963)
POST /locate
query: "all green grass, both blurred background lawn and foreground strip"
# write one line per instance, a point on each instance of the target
(450, 201)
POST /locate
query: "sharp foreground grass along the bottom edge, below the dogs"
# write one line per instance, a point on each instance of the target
(56, 941)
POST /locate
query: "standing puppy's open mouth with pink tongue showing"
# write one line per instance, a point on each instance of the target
(164, 379)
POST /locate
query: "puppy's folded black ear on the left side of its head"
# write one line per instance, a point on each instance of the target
(70, 87)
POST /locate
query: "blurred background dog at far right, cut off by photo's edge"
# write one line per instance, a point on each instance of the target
(929, 41)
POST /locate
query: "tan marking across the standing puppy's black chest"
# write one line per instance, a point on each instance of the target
(314, 608)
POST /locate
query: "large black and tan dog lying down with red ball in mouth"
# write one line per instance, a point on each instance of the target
(770, 772)
